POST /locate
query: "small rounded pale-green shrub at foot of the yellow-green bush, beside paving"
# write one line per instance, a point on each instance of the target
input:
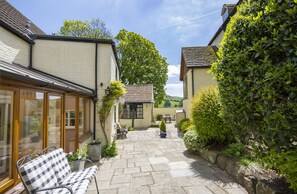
(192, 141)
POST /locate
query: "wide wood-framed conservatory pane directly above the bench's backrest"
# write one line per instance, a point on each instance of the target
(31, 122)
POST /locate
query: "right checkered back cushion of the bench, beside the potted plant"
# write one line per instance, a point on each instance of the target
(59, 164)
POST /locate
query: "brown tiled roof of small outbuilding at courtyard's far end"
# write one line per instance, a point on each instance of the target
(139, 93)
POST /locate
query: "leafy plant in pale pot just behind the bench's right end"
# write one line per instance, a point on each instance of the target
(77, 159)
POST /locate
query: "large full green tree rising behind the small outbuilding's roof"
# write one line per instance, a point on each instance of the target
(141, 63)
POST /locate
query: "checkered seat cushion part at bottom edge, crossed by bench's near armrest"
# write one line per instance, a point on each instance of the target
(80, 187)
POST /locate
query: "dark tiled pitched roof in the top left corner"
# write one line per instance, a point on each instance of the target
(16, 21)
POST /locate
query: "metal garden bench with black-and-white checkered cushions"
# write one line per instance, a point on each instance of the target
(49, 172)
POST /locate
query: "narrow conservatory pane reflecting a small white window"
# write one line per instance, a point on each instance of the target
(70, 134)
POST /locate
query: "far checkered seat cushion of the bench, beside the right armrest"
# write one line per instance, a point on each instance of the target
(87, 173)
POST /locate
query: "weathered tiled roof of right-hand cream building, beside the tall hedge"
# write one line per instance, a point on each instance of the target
(200, 56)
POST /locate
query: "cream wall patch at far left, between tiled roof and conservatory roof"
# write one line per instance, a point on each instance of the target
(13, 49)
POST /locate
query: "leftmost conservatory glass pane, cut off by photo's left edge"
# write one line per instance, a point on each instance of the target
(6, 112)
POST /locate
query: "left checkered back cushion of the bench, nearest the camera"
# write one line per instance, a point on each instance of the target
(38, 174)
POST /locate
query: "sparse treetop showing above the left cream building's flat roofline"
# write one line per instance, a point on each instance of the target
(95, 28)
